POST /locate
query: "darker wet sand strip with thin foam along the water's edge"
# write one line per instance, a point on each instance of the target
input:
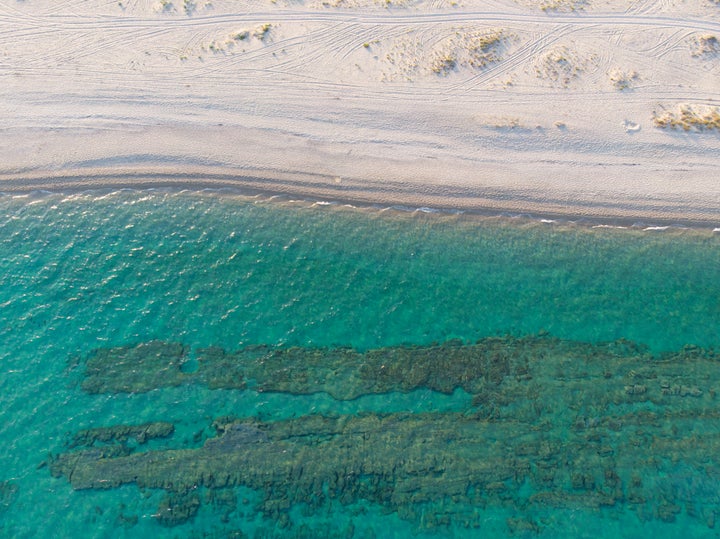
(447, 200)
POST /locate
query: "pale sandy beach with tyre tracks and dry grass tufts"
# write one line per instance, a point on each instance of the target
(603, 110)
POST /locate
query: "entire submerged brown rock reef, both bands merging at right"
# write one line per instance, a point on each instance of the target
(553, 425)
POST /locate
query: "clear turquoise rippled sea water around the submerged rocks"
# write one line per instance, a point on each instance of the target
(101, 270)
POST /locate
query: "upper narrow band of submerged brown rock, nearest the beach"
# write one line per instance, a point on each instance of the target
(346, 374)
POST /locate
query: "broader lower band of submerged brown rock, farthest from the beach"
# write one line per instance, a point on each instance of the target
(443, 463)
